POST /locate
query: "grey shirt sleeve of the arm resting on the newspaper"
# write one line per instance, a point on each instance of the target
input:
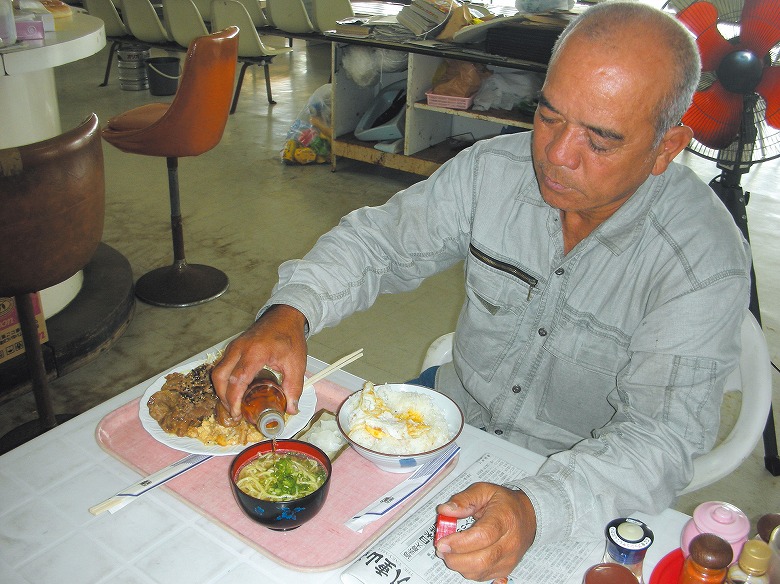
(667, 413)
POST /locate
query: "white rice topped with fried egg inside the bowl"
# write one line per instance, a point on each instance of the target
(396, 422)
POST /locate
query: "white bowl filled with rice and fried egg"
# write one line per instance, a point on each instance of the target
(399, 426)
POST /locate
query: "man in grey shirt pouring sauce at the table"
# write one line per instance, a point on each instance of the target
(605, 287)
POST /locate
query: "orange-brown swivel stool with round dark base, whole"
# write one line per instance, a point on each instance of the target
(189, 126)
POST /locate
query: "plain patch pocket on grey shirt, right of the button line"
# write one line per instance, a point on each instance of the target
(584, 358)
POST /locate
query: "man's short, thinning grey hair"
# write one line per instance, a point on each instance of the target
(604, 19)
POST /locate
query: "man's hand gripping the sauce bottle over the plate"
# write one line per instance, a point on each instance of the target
(277, 340)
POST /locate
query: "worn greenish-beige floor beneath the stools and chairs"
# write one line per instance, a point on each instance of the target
(245, 212)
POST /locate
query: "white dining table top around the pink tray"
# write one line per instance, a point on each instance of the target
(48, 535)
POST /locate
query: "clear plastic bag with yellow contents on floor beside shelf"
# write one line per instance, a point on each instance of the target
(308, 139)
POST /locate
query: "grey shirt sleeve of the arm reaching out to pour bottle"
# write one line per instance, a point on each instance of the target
(375, 250)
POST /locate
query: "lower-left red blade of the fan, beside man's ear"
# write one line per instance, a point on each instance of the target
(714, 116)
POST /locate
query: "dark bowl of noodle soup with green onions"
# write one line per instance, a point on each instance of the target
(282, 490)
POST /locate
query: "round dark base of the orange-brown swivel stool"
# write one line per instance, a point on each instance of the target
(181, 284)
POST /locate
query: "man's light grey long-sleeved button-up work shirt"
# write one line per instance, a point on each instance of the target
(609, 360)
